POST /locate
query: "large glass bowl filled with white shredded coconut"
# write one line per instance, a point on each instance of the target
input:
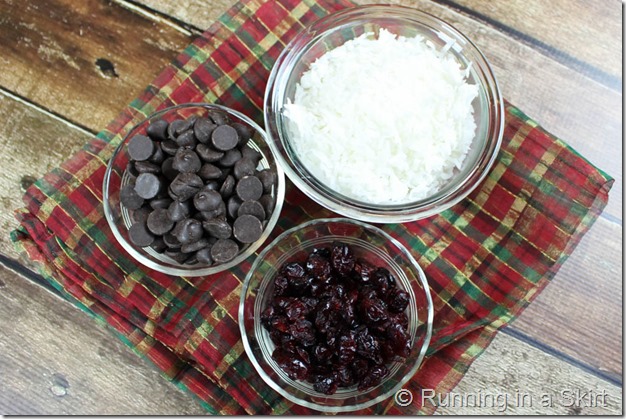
(384, 113)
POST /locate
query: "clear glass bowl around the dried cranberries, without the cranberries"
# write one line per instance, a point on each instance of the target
(367, 242)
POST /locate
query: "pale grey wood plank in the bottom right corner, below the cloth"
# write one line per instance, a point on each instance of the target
(510, 379)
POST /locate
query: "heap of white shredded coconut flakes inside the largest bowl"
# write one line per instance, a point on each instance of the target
(383, 120)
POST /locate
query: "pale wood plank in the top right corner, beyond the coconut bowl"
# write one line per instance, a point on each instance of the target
(560, 27)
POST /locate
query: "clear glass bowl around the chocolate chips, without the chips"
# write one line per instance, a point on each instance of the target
(117, 176)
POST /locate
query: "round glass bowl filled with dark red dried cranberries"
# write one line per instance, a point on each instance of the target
(336, 315)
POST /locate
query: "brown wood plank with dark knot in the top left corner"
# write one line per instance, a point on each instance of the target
(83, 60)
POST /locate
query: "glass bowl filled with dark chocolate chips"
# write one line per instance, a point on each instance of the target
(193, 189)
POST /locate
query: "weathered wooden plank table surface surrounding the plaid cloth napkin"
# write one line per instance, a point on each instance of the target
(69, 66)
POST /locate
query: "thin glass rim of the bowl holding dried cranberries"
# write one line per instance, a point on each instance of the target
(428, 322)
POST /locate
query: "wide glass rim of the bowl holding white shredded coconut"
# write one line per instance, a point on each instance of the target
(348, 207)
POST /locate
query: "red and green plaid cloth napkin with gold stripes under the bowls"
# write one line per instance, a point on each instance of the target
(486, 258)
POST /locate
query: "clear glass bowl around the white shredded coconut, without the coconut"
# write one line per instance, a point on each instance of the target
(333, 31)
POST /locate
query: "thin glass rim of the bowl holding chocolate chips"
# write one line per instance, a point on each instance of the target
(192, 271)
